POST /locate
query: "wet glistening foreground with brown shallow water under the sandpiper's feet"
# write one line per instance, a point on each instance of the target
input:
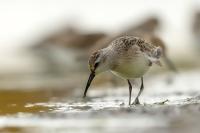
(166, 107)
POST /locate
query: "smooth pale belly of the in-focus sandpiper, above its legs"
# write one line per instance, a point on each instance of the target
(134, 68)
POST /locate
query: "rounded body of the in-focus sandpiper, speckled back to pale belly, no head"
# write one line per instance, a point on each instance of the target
(131, 57)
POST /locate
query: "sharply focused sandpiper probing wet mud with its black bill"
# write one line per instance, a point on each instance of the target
(128, 57)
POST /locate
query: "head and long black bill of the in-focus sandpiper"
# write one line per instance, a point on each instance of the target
(97, 64)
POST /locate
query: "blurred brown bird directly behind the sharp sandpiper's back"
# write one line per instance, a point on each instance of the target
(146, 30)
